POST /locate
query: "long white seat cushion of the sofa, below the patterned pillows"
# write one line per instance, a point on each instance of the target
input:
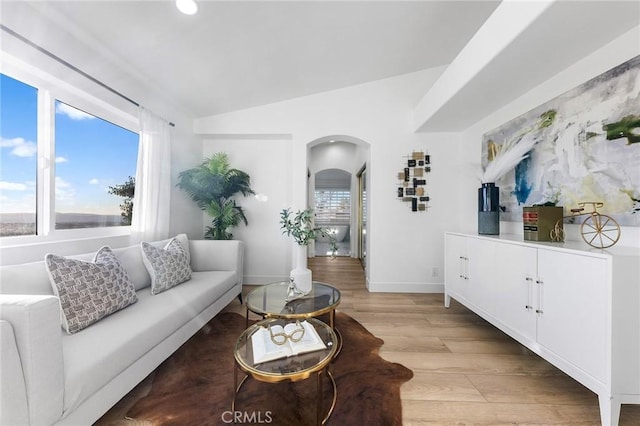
(98, 354)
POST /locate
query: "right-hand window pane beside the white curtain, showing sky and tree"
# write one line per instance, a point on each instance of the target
(91, 156)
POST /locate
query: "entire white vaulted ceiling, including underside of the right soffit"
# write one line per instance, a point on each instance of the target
(239, 54)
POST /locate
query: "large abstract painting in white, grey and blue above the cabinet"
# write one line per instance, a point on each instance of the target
(587, 149)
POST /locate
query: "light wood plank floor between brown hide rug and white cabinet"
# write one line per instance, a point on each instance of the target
(466, 372)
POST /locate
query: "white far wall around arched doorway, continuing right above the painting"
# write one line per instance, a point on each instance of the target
(405, 248)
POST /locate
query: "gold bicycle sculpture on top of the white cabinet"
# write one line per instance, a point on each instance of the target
(598, 230)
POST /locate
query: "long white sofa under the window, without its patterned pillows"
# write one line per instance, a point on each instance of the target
(49, 376)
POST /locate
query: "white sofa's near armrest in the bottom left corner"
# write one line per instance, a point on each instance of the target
(35, 322)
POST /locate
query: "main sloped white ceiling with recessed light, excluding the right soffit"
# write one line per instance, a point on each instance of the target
(238, 54)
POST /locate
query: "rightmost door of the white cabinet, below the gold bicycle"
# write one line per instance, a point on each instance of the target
(574, 302)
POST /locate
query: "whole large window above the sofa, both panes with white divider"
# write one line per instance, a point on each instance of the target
(62, 166)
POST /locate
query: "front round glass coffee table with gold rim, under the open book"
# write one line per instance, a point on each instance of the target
(292, 368)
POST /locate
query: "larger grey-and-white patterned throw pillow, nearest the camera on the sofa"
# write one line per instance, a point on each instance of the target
(89, 291)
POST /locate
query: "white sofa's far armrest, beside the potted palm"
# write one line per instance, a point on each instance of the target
(217, 255)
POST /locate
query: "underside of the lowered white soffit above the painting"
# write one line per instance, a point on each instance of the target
(563, 34)
